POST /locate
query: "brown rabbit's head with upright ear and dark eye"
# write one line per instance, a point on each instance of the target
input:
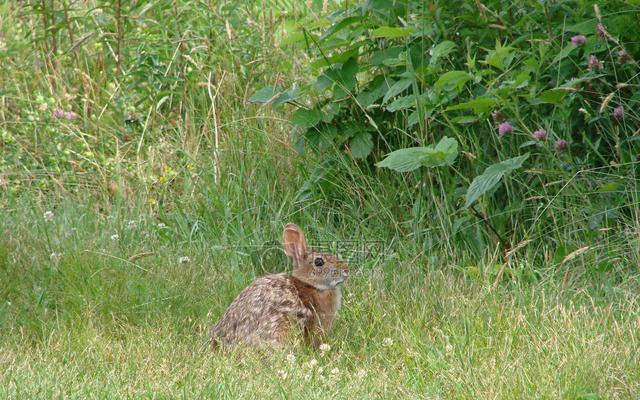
(320, 270)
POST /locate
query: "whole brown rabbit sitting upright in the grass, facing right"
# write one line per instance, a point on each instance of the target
(274, 307)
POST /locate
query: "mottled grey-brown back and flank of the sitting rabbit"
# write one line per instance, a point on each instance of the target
(263, 313)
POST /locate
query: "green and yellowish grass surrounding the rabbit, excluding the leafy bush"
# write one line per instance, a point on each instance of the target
(155, 228)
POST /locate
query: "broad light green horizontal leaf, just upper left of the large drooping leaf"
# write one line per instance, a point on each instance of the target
(404, 160)
